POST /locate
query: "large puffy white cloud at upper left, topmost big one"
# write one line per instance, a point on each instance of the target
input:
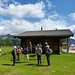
(22, 11)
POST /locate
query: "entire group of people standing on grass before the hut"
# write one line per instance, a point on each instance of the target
(38, 51)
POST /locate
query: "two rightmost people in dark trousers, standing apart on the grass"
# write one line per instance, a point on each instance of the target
(48, 52)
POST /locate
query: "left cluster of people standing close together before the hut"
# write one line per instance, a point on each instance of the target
(25, 50)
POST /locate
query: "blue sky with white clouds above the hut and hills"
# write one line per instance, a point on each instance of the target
(17, 16)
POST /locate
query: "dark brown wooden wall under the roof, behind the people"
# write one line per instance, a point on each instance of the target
(54, 42)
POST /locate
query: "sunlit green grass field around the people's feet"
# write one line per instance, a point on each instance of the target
(63, 64)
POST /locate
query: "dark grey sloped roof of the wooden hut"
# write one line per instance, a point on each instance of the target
(65, 32)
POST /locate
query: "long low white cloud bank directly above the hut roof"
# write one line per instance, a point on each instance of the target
(16, 26)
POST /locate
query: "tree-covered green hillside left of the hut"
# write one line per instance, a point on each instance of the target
(8, 40)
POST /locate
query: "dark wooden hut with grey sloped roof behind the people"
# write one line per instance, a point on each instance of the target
(55, 39)
